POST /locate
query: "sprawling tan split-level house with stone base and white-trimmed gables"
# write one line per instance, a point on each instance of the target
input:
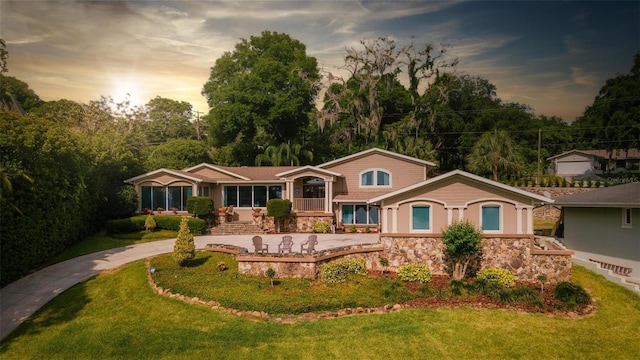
(374, 190)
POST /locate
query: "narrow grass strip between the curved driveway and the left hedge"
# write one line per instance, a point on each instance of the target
(102, 241)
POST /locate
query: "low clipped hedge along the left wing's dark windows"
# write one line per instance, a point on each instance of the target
(166, 222)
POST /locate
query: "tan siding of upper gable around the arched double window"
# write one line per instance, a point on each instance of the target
(402, 173)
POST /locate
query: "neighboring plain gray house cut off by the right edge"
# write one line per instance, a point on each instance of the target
(604, 225)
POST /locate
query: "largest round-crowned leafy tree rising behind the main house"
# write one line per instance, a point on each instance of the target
(267, 85)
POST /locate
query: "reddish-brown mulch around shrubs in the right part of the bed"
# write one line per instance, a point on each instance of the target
(441, 282)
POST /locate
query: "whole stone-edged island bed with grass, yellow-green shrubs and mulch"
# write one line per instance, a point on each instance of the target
(347, 284)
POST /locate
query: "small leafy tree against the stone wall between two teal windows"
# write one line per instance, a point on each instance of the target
(462, 243)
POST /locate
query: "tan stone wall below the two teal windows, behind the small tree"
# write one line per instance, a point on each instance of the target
(511, 253)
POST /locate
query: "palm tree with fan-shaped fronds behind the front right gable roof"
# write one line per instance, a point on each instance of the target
(494, 151)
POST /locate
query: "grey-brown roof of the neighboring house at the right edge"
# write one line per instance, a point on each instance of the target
(626, 195)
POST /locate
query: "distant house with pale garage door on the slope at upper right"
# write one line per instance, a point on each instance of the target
(594, 162)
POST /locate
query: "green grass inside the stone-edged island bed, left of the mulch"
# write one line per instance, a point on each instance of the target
(287, 296)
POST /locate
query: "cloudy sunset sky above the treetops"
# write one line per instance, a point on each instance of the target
(551, 55)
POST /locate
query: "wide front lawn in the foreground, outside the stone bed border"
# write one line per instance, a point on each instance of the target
(117, 316)
